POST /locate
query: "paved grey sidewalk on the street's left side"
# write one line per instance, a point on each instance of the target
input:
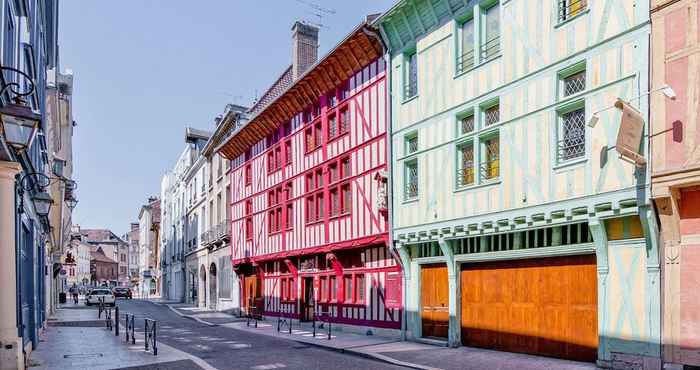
(76, 339)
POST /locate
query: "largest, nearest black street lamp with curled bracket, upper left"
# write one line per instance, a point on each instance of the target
(19, 123)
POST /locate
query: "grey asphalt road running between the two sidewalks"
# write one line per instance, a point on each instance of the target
(226, 348)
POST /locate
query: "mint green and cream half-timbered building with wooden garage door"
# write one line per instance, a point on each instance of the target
(518, 225)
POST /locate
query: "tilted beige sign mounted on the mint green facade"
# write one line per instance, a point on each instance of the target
(630, 132)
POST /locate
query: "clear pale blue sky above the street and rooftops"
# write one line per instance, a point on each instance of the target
(146, 69)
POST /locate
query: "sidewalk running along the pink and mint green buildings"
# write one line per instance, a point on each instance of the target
(391, 350)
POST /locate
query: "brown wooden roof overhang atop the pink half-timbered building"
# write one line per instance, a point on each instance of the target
(353, 53)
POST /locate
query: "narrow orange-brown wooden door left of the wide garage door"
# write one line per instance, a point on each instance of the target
(435, 313)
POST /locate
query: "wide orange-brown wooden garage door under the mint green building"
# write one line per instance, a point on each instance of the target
(544, 306)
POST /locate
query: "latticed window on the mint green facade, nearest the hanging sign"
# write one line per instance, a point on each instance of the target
(571, 132)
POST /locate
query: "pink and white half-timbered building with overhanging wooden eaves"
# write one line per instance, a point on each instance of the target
(309, 194)
